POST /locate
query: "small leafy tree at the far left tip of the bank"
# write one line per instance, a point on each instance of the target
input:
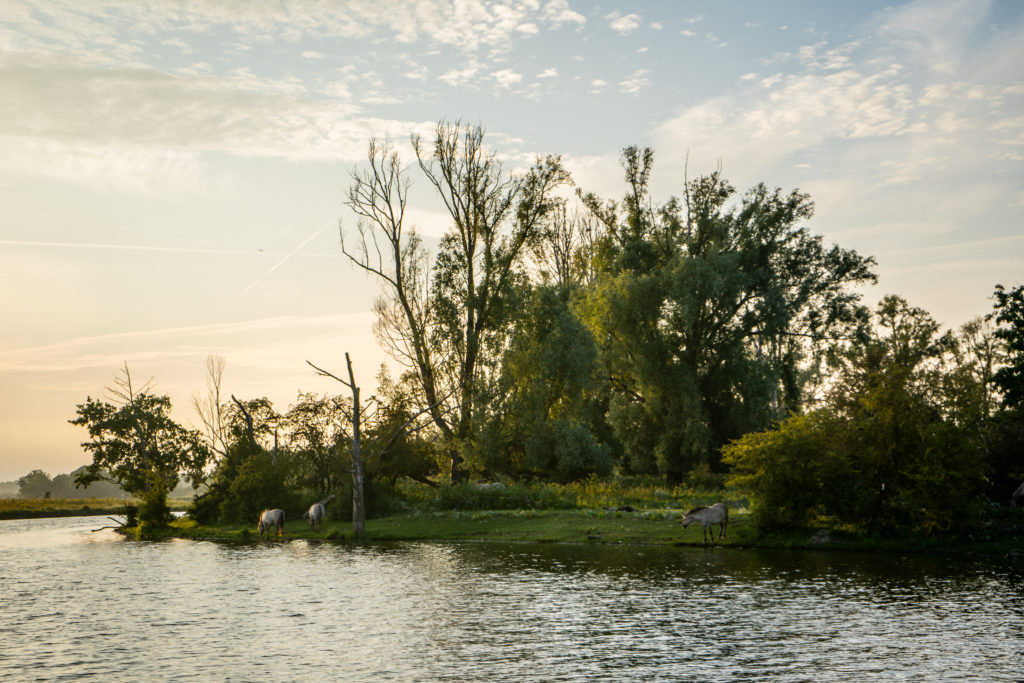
(135, 442)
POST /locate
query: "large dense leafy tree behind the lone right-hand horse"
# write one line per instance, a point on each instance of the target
(708, 316)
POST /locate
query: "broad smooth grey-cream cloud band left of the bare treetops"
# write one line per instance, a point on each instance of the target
(141, 130)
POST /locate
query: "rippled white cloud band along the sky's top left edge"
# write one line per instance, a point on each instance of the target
(96, 32)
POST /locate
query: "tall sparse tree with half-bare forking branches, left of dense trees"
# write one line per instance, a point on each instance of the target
(444, 320)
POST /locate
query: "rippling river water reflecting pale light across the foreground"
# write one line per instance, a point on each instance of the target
(77, 606)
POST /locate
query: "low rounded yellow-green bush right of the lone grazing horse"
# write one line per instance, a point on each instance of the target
(879, 477)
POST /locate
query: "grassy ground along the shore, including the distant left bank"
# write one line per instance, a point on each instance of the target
(621, 511)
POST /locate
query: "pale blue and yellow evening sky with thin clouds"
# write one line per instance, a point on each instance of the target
(174, 173)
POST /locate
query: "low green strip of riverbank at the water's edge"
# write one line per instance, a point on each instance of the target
(639, 528)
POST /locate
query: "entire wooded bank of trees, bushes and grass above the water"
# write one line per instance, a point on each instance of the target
(554, 345)
